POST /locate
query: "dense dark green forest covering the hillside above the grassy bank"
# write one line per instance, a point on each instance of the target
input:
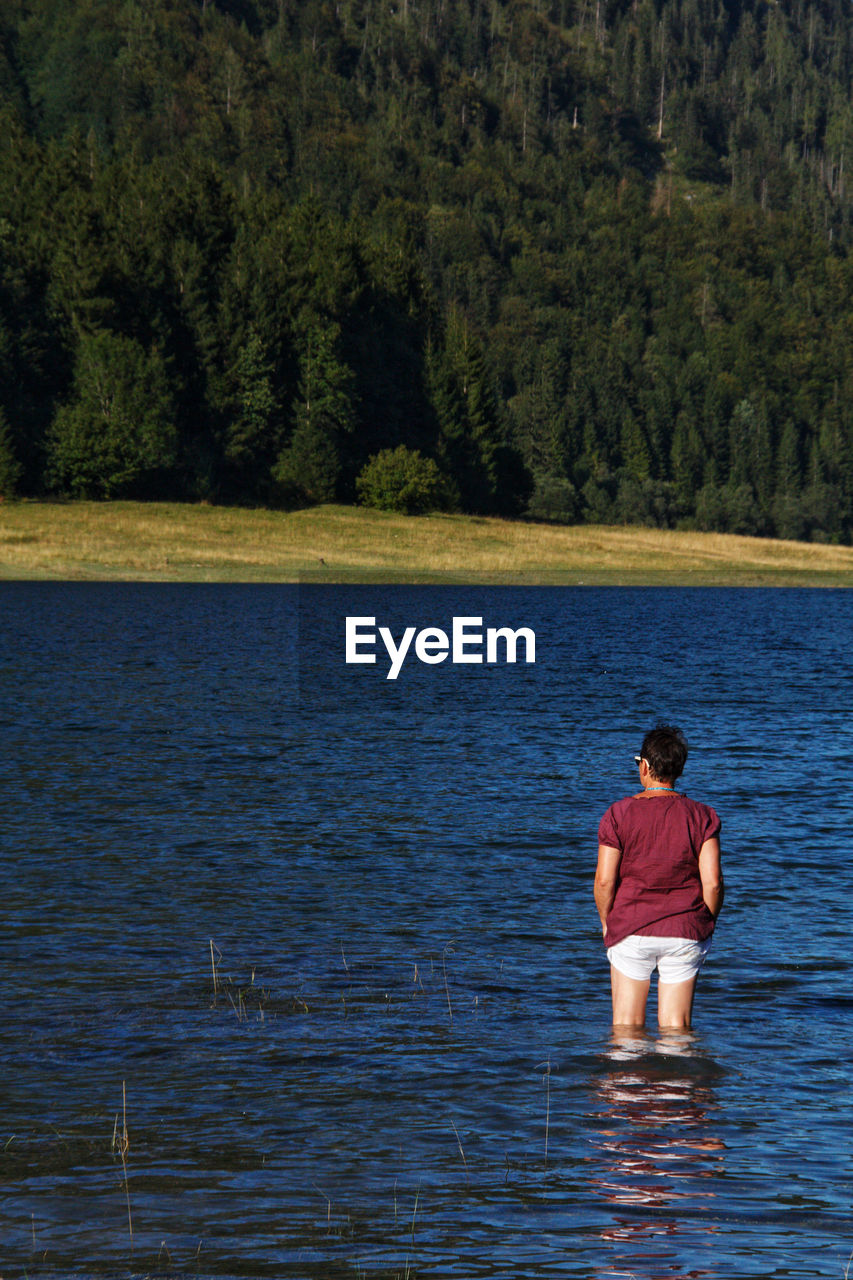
(569, 260)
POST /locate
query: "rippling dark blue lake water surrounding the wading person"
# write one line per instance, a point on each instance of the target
(322, 947)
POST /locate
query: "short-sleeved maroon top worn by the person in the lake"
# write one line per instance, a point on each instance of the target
(659, 890)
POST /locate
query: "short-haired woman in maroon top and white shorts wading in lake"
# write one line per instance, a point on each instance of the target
(659, 886)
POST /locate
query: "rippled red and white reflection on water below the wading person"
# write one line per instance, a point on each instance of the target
(659, 1159)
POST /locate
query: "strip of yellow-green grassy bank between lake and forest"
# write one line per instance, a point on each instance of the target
(170, 542)
